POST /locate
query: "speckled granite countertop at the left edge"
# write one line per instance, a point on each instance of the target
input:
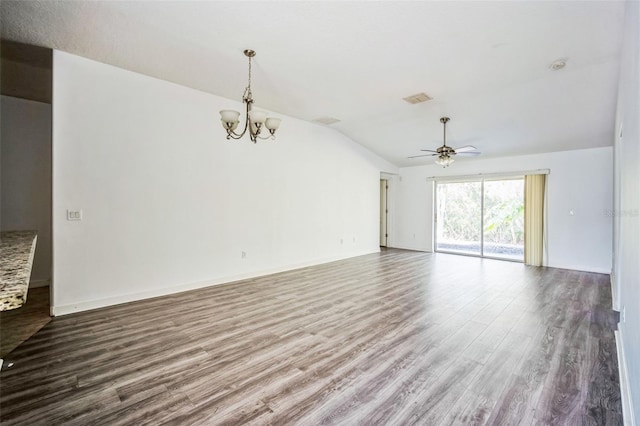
(16, 257)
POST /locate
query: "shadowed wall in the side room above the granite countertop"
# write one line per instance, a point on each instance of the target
(26, 176)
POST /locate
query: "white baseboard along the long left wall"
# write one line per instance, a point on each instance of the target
(132, 297)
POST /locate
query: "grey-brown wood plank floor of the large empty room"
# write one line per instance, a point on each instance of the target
(393, 338)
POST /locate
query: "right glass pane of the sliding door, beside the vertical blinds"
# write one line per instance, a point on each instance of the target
(504, 219)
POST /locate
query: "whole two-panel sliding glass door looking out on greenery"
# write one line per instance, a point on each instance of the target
(481, 218)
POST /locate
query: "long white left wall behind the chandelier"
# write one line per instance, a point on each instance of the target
(169, 204)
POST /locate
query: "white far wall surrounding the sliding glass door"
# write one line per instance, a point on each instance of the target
(580, 180)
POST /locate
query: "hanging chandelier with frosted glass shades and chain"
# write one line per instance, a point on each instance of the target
(254, 121)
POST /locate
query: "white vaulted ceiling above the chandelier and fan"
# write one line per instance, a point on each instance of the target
(486, 64)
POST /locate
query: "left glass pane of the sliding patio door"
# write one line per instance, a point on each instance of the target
(458, 226)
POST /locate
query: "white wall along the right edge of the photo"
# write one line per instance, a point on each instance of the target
(626, 269)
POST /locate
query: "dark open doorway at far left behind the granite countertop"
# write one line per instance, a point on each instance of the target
(26, 163)
